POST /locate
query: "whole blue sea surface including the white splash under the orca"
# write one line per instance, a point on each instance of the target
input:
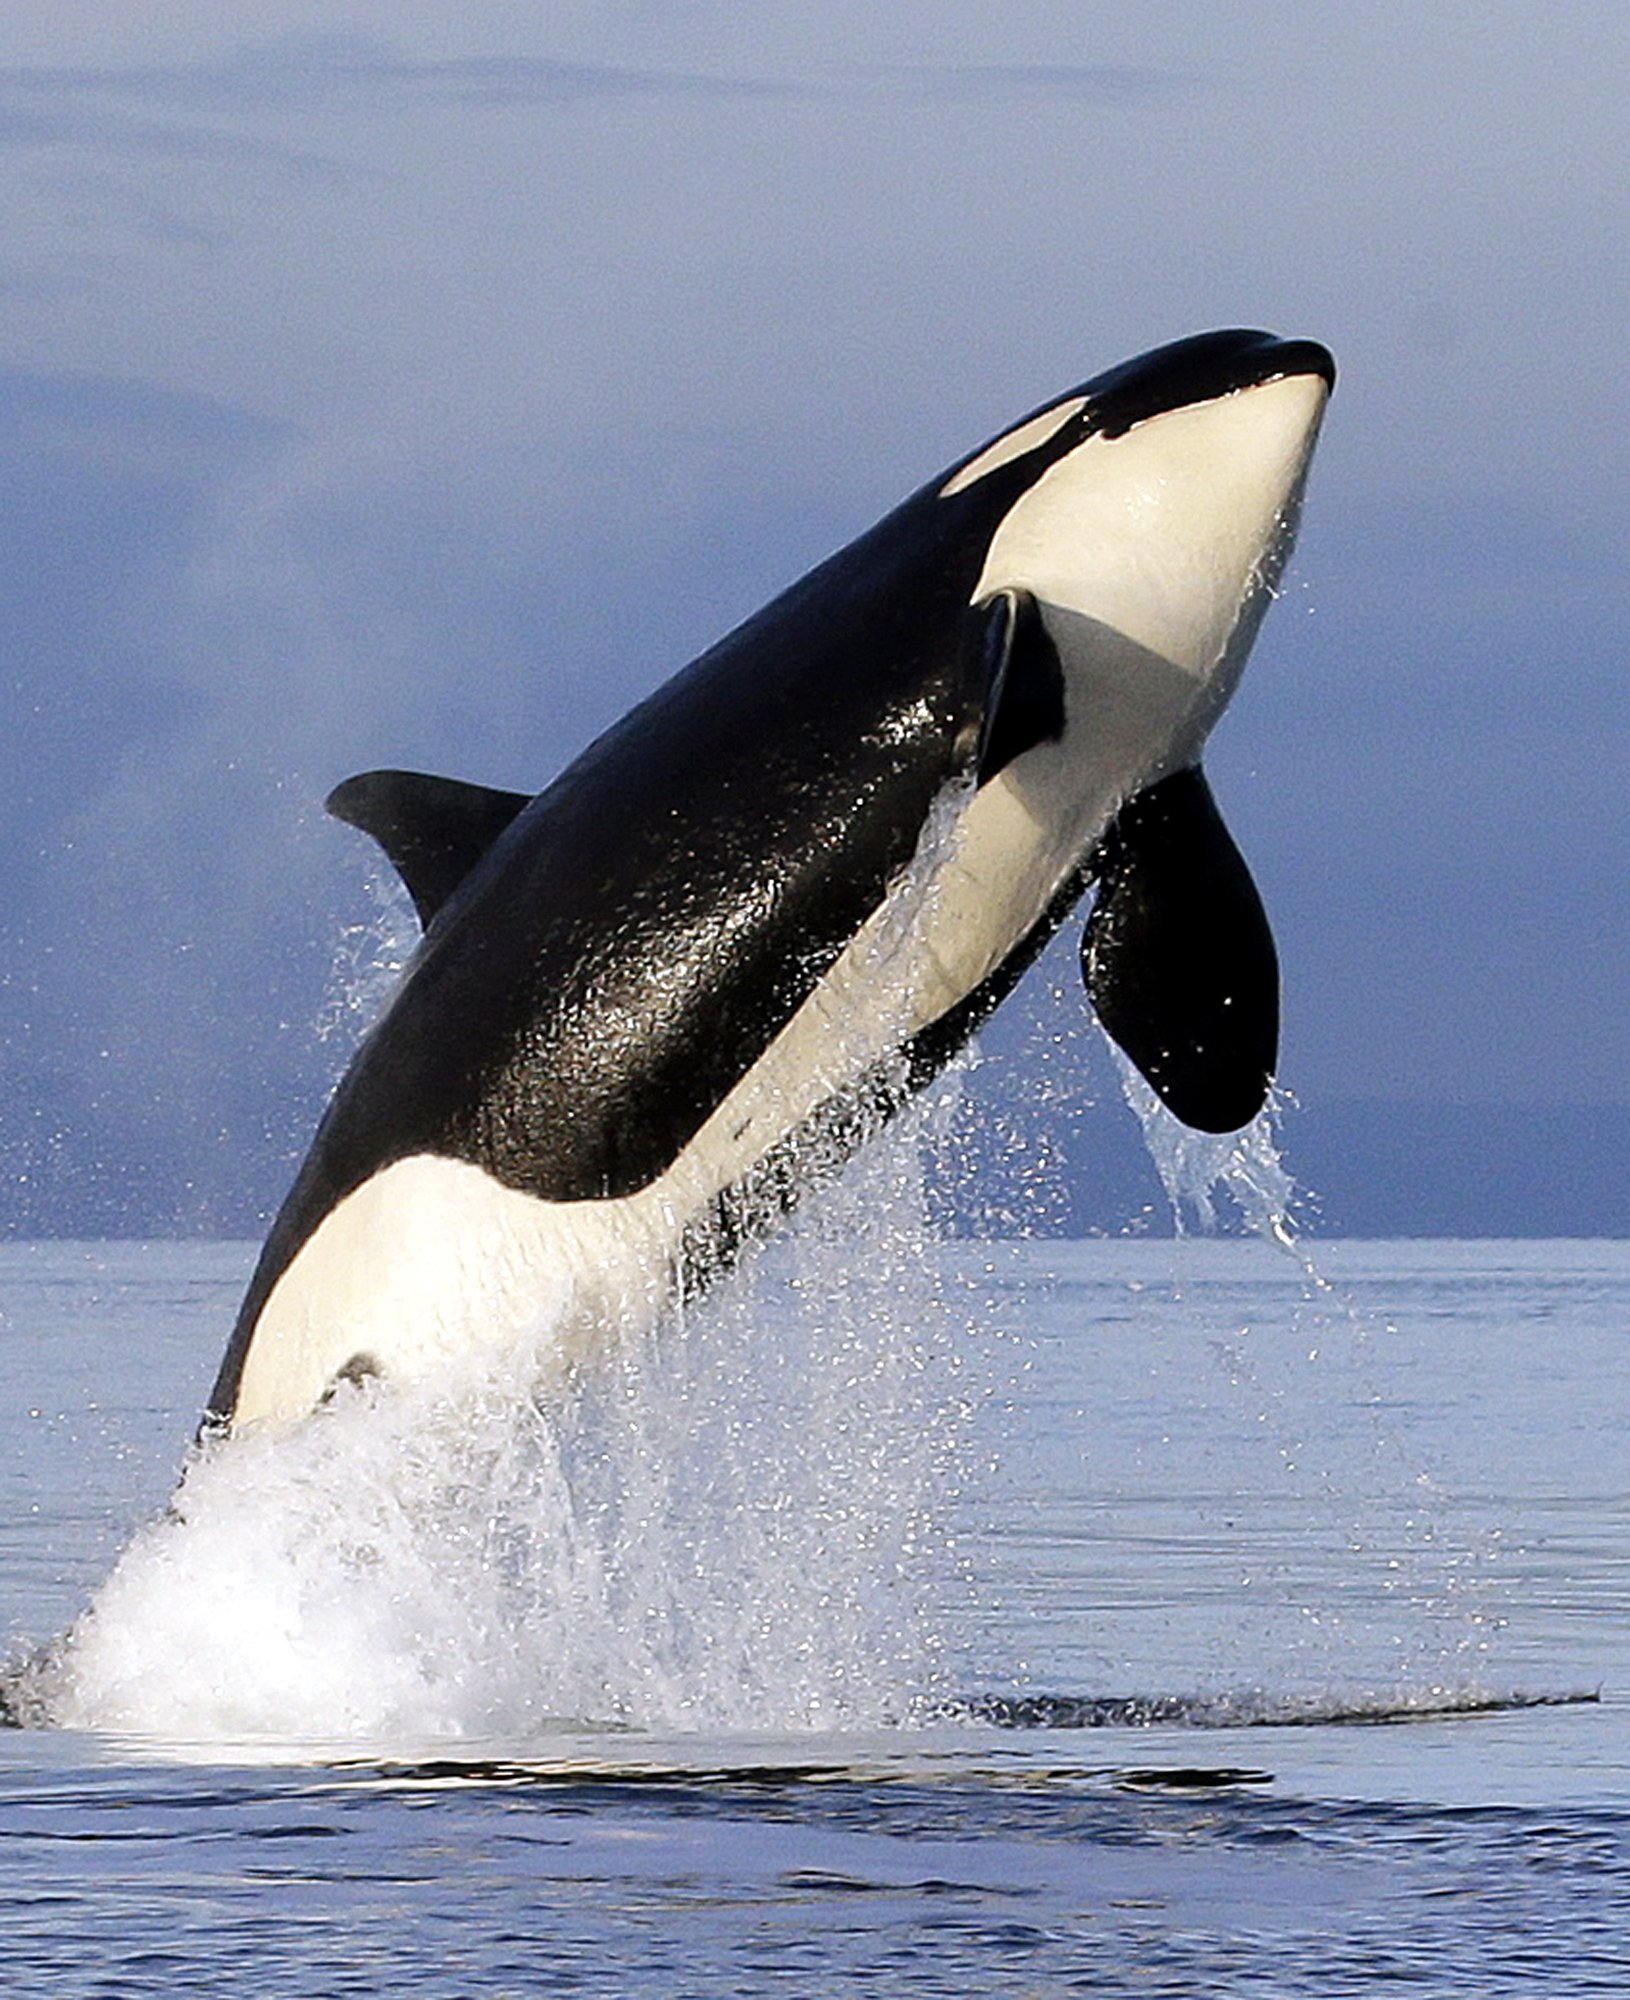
(1123, 1617)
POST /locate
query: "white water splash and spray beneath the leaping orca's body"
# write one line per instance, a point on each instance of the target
(729, 1521)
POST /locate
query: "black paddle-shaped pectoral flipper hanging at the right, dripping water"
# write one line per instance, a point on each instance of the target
(1179, 957)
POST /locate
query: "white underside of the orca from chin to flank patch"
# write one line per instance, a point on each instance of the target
(1143, 553)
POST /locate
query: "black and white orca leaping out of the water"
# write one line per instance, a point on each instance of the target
(663, 995)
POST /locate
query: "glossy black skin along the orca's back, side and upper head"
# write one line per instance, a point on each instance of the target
(641, 933)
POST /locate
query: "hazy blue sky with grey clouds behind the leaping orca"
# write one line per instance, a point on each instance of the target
(421, 385)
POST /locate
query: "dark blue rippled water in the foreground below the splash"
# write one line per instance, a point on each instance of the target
(453, 1881)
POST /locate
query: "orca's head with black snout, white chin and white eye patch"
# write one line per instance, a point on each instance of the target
(1149, 515)
